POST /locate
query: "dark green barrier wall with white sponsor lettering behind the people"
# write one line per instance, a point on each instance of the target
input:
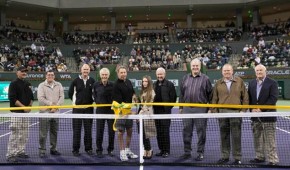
(281, 75)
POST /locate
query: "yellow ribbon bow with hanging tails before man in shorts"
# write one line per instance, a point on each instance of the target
(120, 110)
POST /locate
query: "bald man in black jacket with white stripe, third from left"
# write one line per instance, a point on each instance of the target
(81, 93)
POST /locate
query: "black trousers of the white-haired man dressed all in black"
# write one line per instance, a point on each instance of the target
(100, 134)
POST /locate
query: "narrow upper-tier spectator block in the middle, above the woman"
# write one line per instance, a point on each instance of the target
(147, 38)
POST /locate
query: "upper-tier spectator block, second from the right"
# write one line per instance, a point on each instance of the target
(208, 35)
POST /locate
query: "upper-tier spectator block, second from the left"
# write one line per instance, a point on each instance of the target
(103, 37)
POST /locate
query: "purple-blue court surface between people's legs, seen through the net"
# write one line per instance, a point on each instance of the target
(212, 152)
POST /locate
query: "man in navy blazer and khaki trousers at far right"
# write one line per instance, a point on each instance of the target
(264, 91)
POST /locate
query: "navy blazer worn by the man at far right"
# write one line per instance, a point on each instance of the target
(268, 96)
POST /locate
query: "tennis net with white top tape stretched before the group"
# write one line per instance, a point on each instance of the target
(211, 152)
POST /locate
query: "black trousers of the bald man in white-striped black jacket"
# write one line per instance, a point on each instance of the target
(77, 128)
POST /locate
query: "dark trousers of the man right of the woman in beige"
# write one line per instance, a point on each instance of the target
(163, 134)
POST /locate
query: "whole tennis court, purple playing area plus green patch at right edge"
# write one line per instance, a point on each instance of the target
(212, 150)
